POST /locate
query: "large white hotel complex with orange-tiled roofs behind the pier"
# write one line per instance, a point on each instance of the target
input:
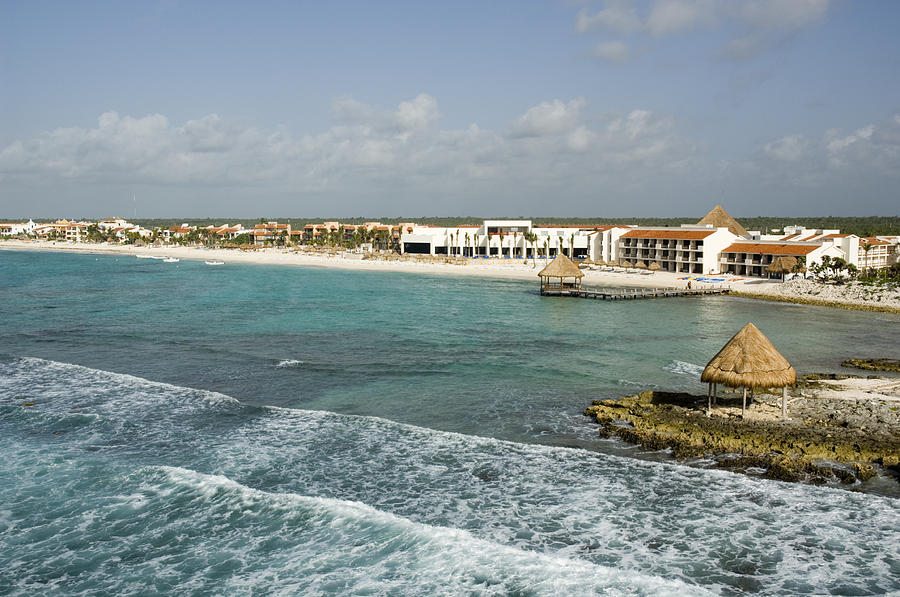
(718, 244)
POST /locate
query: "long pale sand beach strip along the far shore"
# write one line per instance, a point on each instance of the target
(501, 269)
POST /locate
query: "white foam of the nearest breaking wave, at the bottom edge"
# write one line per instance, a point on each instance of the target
(398, 550)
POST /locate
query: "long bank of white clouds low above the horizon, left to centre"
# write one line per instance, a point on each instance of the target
(551, 144)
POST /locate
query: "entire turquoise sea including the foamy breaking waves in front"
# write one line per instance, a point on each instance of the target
(256, 430)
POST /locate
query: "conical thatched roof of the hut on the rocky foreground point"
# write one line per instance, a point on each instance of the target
(749, 360)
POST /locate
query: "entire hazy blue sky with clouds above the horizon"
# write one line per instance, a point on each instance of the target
(603, 108)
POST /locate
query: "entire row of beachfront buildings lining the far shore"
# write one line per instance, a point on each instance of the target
(717, 244)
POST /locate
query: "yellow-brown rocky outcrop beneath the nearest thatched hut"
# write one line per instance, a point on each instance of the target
(833, 436)
